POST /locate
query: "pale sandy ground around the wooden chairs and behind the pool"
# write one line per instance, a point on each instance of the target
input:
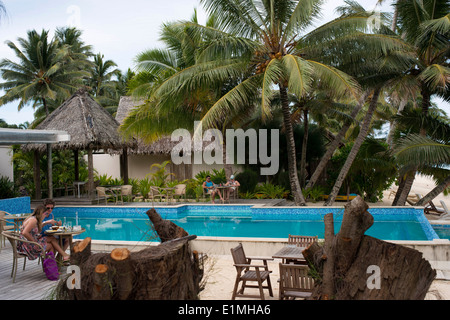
(220, 274)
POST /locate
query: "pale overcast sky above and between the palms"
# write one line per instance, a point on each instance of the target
(117, 29)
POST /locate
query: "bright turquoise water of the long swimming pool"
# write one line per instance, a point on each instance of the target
(132, 223)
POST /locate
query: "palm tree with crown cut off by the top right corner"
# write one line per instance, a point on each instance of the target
(425, 26)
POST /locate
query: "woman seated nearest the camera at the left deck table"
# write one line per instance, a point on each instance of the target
(31, 231)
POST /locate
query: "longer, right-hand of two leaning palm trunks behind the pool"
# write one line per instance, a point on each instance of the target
(356, 146)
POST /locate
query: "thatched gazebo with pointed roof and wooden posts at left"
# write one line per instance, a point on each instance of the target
(90, 128)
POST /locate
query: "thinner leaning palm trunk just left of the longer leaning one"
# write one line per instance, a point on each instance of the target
(334, 145)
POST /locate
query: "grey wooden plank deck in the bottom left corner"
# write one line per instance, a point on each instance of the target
(31, 283)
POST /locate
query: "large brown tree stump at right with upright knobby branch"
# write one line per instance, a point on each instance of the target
(352, 265)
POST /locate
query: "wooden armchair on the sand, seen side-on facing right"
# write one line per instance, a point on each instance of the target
(259, 274)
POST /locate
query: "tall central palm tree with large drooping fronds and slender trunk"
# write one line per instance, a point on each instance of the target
(257, 44)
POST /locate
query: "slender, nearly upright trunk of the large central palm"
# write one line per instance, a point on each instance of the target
(292, 159)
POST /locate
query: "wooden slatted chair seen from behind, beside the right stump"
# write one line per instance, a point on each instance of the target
(295, 282)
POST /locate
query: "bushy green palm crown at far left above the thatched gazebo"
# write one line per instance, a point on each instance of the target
(42, 72)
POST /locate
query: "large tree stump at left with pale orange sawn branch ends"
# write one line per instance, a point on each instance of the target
(166, 271)
